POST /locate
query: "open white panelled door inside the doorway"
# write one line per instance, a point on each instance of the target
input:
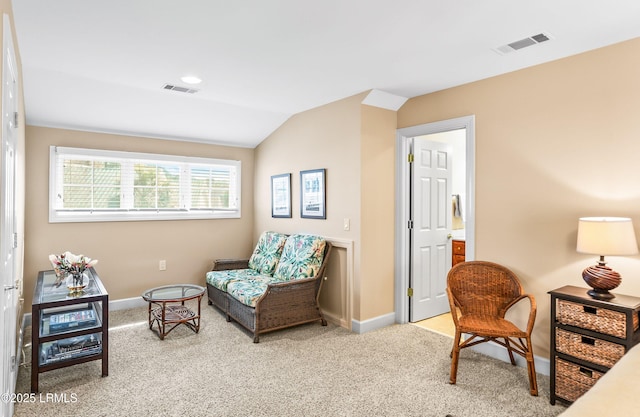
(431, 232)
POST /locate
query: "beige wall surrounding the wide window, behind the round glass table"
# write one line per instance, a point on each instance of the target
(128, 252)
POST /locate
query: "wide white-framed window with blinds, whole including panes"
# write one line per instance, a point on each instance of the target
(95, 185)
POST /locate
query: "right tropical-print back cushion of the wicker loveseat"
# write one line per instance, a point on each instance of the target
(301, 257)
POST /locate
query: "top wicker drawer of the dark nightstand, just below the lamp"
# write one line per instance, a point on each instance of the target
(597, 319)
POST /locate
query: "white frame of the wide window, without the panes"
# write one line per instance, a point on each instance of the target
(57, 215)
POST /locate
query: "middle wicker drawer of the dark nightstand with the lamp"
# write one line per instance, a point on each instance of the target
(589, 349)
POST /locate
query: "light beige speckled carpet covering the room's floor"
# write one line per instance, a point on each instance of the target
(310, 370)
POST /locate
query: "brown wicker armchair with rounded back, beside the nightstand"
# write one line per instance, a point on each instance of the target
(480, 293)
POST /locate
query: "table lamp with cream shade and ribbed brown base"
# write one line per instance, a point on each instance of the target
(605, 236)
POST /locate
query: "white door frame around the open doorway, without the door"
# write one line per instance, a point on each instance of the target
(403, 202)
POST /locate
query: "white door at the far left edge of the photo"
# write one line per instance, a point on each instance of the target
(8, 244)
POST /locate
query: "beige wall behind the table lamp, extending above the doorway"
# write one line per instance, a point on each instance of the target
(553, 143)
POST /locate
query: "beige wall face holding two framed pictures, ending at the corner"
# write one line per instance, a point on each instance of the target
(324, 137)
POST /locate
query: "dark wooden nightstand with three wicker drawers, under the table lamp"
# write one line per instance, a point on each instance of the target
(588, 337)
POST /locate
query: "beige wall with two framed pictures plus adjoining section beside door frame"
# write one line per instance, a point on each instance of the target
(354, 142)
